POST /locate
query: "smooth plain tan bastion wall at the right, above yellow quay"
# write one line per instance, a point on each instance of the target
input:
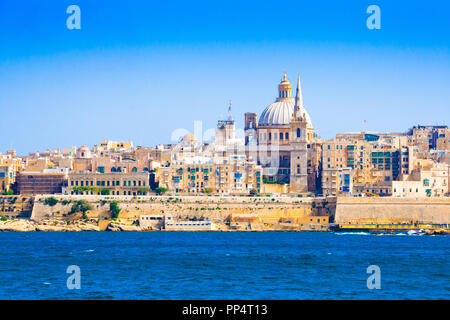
(392, 210)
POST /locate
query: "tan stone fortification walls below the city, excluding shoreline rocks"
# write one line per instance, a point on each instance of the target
(263, 210)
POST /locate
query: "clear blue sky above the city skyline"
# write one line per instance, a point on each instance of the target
(137, 70)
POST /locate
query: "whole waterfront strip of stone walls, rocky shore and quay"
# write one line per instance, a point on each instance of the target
(225, 213)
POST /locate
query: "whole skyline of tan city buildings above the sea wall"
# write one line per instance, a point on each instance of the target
(279, 153)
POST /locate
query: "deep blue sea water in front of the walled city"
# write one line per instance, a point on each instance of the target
(223, 265)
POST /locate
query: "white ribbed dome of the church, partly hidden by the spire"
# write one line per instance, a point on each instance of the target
(280, 113)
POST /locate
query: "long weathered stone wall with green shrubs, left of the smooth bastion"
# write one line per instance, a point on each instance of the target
(268, 209)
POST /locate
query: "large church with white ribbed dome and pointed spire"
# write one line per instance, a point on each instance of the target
(280, 140)
